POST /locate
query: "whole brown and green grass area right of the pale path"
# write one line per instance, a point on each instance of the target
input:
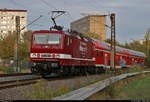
(132, 88)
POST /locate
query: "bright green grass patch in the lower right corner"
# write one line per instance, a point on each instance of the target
(138, 89)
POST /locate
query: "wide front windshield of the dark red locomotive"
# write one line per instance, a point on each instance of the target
(47, 39)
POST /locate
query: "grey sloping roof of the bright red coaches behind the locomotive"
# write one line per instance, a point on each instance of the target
(120, 49)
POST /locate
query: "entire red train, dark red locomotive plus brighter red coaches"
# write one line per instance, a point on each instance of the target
(67, 53)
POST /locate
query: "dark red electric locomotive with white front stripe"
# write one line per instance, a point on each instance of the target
(60, 51)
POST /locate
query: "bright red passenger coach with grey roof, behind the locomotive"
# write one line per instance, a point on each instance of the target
(123, 58)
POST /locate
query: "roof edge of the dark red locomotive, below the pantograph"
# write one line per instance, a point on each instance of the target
(66, 33)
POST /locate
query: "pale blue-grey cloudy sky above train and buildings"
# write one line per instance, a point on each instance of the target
(132, 16)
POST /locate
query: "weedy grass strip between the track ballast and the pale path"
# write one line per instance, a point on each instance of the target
(41, 91)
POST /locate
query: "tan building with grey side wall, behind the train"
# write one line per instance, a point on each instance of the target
(91, 23)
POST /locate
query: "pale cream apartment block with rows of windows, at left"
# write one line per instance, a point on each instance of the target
(8, 21)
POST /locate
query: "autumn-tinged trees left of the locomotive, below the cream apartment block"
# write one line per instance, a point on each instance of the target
(8, 46)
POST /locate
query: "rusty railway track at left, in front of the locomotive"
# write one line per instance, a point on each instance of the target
(17, 79)
